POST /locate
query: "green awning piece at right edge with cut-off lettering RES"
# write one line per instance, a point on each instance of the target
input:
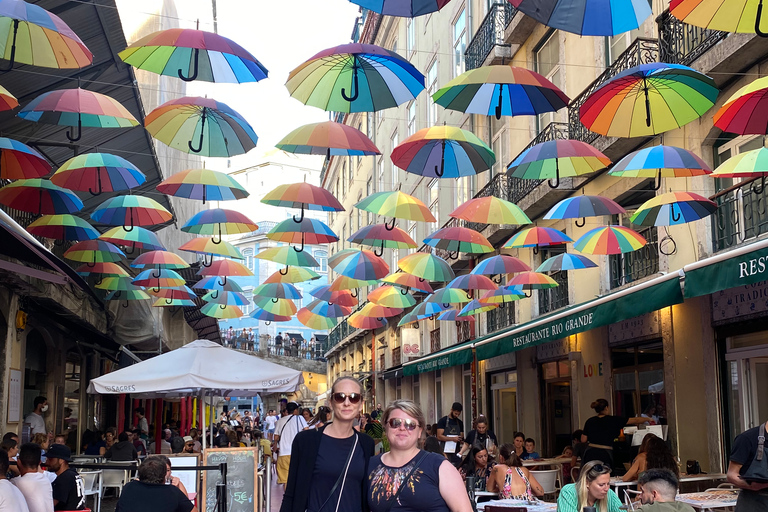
(739, 267)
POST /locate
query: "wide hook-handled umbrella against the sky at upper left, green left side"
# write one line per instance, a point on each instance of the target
(194, 55)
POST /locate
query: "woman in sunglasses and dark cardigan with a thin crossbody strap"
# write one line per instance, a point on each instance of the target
(329, 464)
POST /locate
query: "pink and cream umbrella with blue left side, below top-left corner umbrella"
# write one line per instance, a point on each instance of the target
(78, 107)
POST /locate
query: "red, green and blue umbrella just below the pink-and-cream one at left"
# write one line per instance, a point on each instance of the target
(97, 173)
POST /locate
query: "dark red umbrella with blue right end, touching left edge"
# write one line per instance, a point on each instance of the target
(39, 196)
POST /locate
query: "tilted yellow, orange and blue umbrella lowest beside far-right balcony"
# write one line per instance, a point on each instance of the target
(673, 208)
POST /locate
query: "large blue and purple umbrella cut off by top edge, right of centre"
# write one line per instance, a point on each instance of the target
(587, 18)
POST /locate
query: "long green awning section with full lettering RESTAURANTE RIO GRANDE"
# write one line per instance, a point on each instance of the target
(635, 301)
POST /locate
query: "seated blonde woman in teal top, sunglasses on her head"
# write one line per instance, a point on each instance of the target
(592, 489)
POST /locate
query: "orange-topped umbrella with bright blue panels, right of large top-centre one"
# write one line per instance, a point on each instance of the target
(501, 91)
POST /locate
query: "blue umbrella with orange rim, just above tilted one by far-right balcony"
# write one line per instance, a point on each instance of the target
(660, 162)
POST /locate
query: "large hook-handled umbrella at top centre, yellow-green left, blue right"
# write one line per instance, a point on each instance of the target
(355, 78)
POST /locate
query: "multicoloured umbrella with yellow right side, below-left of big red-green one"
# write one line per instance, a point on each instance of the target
(554, 159)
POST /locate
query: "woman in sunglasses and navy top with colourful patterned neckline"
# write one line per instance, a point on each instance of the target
(407, 479)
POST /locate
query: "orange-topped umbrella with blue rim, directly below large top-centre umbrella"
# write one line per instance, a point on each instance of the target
(328, 138)
